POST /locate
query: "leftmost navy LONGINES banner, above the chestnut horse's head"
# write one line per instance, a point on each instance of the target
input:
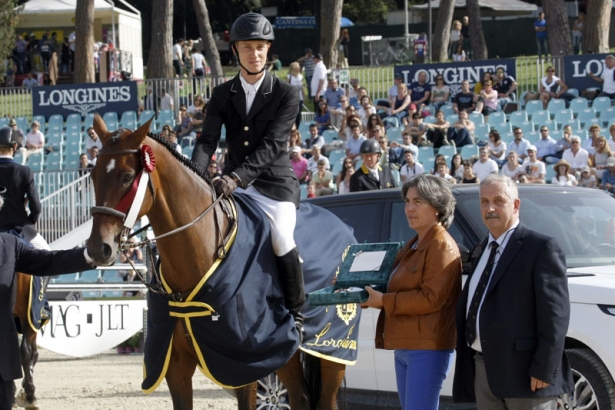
(85, 98)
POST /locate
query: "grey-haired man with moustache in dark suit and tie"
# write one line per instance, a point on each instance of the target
(513, 313)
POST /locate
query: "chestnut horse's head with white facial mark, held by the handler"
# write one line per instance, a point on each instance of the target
(115, 178)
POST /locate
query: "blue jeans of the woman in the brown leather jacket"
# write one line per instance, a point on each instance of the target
(420, 374)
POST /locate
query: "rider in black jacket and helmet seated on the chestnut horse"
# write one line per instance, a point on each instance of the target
(258, 111)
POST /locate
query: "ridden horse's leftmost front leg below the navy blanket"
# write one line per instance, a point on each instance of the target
(181, 370)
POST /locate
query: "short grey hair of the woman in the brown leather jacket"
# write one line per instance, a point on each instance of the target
(436, 192)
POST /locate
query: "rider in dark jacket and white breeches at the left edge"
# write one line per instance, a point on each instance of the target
(19, 182)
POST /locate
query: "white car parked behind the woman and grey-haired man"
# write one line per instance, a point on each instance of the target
(583, 220)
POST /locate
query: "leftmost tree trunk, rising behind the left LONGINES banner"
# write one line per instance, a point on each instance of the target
(84, 45)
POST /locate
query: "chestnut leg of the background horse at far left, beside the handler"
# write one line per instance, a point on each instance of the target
(28, 352)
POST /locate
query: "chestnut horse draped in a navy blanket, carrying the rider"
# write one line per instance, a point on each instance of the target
(176, 196)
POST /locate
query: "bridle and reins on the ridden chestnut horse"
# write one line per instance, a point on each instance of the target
(128, 209)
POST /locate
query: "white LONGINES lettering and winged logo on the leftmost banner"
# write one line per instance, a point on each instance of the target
(83, 100)
